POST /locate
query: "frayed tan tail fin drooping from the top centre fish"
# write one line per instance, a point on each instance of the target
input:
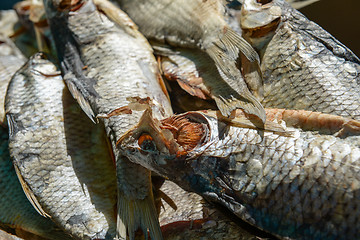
(226, 55)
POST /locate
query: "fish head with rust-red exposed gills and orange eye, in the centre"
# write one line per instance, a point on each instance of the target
(163, 146)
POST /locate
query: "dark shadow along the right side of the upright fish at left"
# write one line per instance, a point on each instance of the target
(92, 160)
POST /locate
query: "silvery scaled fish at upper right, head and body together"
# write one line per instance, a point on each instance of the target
(303, 66)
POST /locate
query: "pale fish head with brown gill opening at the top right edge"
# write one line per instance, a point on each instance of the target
(259, 20)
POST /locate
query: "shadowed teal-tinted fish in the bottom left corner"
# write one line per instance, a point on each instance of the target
(16, 212)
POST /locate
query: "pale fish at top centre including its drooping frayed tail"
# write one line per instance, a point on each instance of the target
(198, 24)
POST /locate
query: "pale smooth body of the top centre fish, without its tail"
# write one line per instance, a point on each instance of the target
(187, 29)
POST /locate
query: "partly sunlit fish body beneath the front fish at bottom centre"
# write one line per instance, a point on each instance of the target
(197, 219)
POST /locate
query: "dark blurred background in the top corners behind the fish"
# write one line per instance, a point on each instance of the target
(340, 18)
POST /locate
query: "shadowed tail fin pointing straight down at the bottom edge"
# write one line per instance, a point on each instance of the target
(137, 213)
